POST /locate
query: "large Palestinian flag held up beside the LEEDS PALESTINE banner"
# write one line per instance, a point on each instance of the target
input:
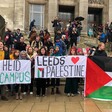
(98, 82)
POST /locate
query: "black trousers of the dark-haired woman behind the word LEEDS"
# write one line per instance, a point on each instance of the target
(41, 86)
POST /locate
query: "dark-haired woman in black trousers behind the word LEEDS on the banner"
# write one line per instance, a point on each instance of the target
(41, 82)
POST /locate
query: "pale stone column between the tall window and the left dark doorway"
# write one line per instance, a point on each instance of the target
(52, 13)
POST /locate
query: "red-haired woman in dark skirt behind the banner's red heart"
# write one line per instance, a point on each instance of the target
(71, 85)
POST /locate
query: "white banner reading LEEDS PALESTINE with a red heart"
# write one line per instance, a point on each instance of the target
(60, 67)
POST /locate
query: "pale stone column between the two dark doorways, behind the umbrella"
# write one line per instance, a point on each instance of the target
(83, 11)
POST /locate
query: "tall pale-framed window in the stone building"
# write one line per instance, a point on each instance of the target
(37, 13)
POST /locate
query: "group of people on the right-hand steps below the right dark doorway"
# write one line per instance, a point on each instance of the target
(102, 33)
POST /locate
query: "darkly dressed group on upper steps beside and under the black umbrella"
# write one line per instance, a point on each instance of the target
(72, 30)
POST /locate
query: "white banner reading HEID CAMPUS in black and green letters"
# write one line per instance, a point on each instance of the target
(15, 72)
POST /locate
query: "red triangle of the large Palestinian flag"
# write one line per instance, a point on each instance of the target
(95, 77)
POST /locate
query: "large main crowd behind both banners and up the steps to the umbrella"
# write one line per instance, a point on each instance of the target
(41, 44)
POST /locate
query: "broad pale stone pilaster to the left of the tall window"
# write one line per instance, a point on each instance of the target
(19, 14)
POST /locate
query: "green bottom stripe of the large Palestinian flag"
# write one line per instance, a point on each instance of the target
(104, 93)
